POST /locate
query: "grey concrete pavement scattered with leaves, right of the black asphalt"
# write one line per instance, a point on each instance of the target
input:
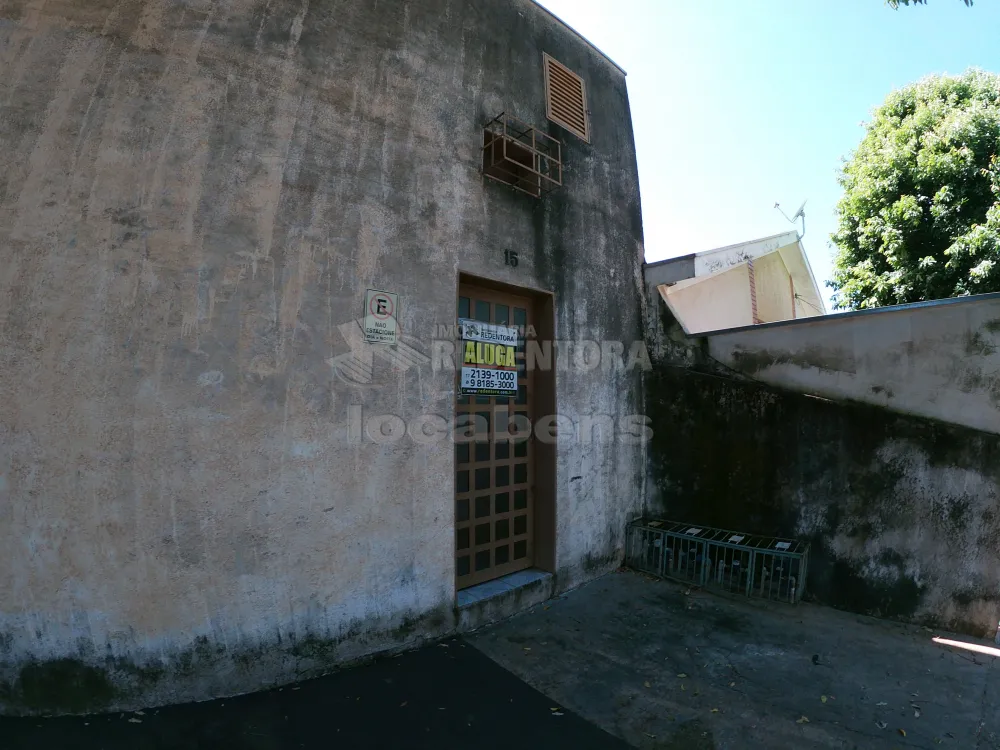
(665, 669)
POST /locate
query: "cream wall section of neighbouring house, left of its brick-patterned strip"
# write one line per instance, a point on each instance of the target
(721, 301)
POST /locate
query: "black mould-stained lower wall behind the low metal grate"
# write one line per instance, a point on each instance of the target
(903, 513)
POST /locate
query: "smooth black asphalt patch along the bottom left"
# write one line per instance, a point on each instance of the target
(442, 697)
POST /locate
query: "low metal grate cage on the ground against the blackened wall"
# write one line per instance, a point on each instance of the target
(758, 566)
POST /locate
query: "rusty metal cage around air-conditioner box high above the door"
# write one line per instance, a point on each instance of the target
(518, 155)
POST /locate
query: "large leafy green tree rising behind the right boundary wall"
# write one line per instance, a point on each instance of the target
(920, 214)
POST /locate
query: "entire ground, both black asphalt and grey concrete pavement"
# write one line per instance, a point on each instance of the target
(647, 661)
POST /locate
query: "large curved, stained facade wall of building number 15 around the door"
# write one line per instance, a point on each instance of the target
(193, 198)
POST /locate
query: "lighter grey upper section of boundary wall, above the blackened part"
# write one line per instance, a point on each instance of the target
(938, 360)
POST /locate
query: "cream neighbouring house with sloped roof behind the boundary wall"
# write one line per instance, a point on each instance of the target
(763, 281)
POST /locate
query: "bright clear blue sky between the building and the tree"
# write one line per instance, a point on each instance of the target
(738, 104)
